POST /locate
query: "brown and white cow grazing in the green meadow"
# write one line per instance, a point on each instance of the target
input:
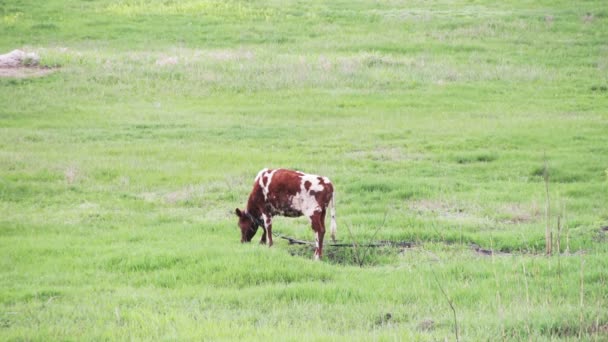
(291, 194)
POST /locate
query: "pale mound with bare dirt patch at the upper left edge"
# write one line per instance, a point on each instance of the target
(21, 64)
